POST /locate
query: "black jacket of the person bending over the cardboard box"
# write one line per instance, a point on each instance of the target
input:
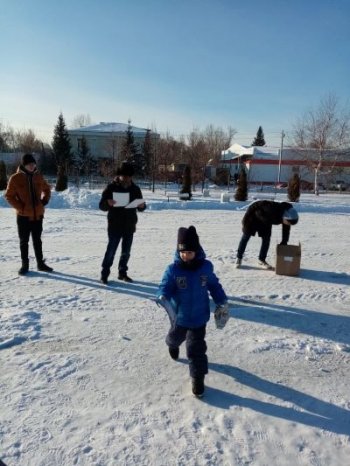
(261, 215)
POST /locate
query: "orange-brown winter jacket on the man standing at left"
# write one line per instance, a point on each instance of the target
(18, 194)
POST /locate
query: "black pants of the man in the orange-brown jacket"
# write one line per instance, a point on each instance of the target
(27, 227)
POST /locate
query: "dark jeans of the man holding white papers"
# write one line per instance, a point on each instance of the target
(113, 242)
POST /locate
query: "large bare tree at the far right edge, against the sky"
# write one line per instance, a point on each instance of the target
(323, 134)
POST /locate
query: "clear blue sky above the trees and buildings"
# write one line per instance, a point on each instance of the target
(172, 65)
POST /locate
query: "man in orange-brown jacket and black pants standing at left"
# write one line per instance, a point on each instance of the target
(28, 192)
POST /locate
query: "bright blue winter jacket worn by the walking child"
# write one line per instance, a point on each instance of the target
(187, 290)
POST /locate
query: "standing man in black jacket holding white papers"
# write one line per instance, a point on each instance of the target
(121, 220)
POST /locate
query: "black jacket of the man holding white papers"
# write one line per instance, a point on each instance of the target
(120, 219)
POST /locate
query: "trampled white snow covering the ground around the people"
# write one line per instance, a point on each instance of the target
(86, 378)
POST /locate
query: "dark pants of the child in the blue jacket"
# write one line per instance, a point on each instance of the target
(196, 347)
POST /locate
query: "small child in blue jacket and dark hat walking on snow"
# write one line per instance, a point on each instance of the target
(184, 293)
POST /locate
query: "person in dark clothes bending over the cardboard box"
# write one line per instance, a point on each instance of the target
(259, 218)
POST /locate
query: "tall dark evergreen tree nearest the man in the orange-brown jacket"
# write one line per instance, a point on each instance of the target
(62, 150)
